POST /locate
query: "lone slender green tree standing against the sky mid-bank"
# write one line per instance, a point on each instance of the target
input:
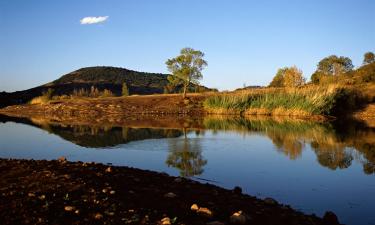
(186, 68)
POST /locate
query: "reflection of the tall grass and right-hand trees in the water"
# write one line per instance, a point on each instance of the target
(335, 144)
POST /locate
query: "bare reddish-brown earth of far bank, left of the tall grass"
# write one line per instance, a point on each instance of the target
(114, 106)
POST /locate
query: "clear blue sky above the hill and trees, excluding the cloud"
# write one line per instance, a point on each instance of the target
(244, 41)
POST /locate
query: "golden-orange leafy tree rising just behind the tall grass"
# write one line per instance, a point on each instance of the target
(288, 77)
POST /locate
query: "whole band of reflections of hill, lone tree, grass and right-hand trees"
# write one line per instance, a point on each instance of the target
(335, 144)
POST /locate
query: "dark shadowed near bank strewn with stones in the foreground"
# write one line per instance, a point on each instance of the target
(61, 192)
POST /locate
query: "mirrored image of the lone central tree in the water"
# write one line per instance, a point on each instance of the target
(186, 155)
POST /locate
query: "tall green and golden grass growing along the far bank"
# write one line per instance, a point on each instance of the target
(305, 101)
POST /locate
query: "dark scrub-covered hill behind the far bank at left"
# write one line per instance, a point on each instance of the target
(100, 77)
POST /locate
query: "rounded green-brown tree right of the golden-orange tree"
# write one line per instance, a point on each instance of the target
(334, 65)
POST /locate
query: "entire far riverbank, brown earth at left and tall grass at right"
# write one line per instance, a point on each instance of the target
(311, 102)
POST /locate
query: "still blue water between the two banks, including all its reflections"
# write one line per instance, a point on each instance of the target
(314, 167)
